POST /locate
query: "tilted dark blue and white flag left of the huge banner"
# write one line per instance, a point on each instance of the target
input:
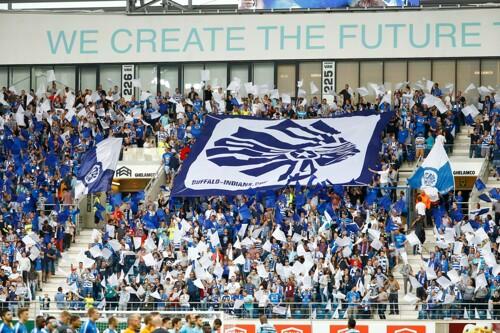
(97, 168)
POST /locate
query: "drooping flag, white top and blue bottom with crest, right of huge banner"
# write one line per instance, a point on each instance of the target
(435, 171)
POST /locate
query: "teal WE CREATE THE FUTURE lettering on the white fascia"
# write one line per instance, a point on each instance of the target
(269, 38)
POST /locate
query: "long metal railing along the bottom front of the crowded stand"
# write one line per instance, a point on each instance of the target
(311, 310)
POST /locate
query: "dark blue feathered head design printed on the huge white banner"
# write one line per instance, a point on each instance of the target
(302, 149)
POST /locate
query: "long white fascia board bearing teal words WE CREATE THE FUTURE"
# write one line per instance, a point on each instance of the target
(114, 38)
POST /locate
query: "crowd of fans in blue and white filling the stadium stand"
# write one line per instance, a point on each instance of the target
(331, 251)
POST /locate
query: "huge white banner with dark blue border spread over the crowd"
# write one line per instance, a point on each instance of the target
(240, 155)
